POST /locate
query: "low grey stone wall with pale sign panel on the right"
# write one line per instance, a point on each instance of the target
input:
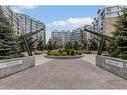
(114, 65)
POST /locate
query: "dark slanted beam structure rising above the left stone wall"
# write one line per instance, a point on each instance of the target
(24, 39)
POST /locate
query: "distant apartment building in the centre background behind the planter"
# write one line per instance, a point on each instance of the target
(63, 36)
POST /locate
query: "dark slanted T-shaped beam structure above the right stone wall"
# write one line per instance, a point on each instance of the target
(103, 38)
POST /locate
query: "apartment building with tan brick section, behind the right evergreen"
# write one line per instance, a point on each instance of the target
(105, 20)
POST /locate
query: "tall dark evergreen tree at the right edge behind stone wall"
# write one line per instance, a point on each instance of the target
(118, 47)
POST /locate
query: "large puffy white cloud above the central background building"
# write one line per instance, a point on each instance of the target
(71, 23)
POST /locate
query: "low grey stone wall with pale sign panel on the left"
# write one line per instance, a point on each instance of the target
(12, 66)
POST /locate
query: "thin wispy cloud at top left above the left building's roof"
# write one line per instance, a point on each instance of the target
(20, 9)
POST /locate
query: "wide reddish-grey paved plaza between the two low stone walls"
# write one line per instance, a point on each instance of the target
(63, 74)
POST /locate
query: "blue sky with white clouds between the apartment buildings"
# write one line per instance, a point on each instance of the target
(60, 17)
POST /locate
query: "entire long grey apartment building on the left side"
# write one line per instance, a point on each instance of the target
(23, 24)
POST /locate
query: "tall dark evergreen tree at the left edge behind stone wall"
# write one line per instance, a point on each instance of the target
(8, 44)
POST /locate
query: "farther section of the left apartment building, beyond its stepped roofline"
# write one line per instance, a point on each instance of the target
(31, 24)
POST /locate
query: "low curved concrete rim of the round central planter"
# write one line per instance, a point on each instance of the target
(63, 57)
